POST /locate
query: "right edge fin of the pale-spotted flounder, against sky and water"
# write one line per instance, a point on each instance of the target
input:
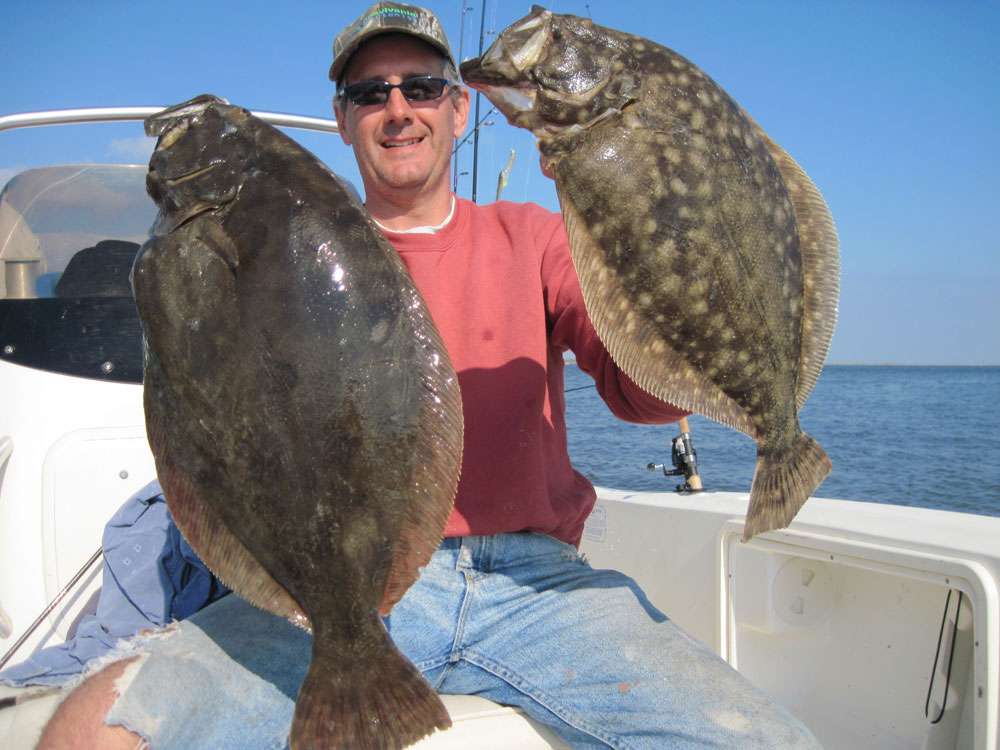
(820, 266)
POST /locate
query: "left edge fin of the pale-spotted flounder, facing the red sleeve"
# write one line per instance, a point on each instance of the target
(633, 343)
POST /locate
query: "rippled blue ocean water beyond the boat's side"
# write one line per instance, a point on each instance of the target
(918, 436)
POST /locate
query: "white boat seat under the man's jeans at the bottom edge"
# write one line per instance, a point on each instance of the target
(476, 722)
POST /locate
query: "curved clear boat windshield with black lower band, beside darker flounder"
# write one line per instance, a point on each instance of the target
(68, 236)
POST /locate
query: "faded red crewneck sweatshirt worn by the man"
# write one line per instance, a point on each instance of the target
(501, 287)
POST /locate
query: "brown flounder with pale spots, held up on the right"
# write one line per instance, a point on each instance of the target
(707, 258)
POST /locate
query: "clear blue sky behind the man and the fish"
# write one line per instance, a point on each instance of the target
(891, 106)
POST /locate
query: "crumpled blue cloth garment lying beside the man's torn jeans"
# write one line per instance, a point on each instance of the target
(151, 577)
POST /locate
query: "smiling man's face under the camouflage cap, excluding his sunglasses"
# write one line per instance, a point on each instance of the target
(401, 146)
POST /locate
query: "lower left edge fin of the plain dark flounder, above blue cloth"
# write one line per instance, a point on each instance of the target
(208, 535)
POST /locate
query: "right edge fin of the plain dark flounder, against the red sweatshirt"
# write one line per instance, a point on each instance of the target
(438, 464)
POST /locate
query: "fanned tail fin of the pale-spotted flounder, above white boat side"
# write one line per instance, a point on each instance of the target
(782, 482)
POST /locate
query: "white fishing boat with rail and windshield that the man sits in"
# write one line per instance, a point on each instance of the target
(877, 625)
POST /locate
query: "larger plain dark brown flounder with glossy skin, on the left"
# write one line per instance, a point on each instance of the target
(304, 416)
